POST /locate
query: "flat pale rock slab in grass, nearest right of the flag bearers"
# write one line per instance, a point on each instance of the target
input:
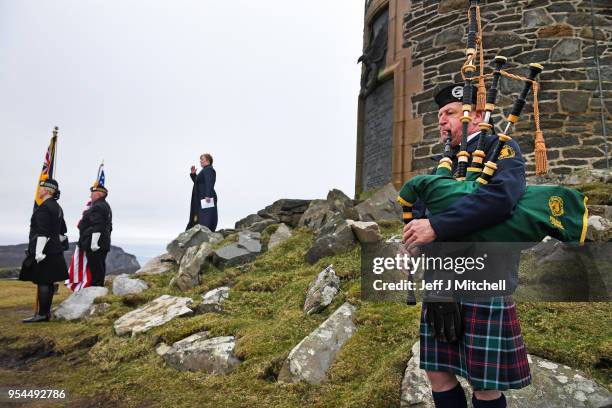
(155, 313)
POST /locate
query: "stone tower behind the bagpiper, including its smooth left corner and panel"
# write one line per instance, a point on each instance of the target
(425, 43)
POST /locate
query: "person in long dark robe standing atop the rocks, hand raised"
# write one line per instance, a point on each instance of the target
(203, 192)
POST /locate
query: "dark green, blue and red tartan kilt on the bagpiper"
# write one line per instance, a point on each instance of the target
(491, 355)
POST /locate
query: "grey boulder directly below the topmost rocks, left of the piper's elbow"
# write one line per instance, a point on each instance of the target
(334, 238)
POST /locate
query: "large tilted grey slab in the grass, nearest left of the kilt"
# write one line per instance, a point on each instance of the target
(312, 357)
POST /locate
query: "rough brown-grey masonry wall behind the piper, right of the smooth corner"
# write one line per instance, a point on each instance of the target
(557, 34)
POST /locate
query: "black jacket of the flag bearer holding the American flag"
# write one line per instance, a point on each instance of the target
(98, 218)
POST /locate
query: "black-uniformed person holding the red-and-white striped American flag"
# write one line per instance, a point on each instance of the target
(95, 230)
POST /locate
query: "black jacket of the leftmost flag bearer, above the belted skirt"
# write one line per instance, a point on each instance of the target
(47, 221)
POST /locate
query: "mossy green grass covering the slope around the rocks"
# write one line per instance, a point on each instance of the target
(264, 312)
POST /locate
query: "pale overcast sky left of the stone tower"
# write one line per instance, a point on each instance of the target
(268, 87)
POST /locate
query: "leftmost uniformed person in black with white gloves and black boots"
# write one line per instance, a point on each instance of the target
(45, 263)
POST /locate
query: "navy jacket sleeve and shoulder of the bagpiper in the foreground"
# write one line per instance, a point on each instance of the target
(490, 204)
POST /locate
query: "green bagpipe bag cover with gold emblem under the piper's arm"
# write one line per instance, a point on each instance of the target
(556, 211)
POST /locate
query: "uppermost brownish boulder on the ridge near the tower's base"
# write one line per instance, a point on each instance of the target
(319, 212)
